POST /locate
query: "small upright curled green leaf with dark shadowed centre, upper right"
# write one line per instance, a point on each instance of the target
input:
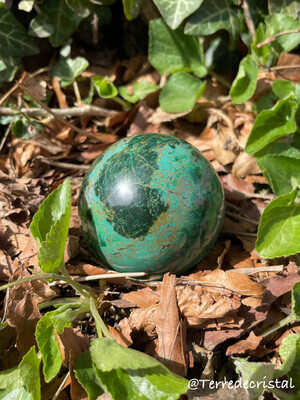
(244, 85)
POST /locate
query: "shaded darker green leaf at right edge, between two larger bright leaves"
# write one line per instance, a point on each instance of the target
(281, 172)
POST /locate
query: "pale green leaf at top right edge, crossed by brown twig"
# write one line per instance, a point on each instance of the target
(280, 23)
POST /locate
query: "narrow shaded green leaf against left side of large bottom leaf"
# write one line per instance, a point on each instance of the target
(86, 376)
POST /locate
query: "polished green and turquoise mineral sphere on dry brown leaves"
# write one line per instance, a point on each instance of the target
(151, 203)
